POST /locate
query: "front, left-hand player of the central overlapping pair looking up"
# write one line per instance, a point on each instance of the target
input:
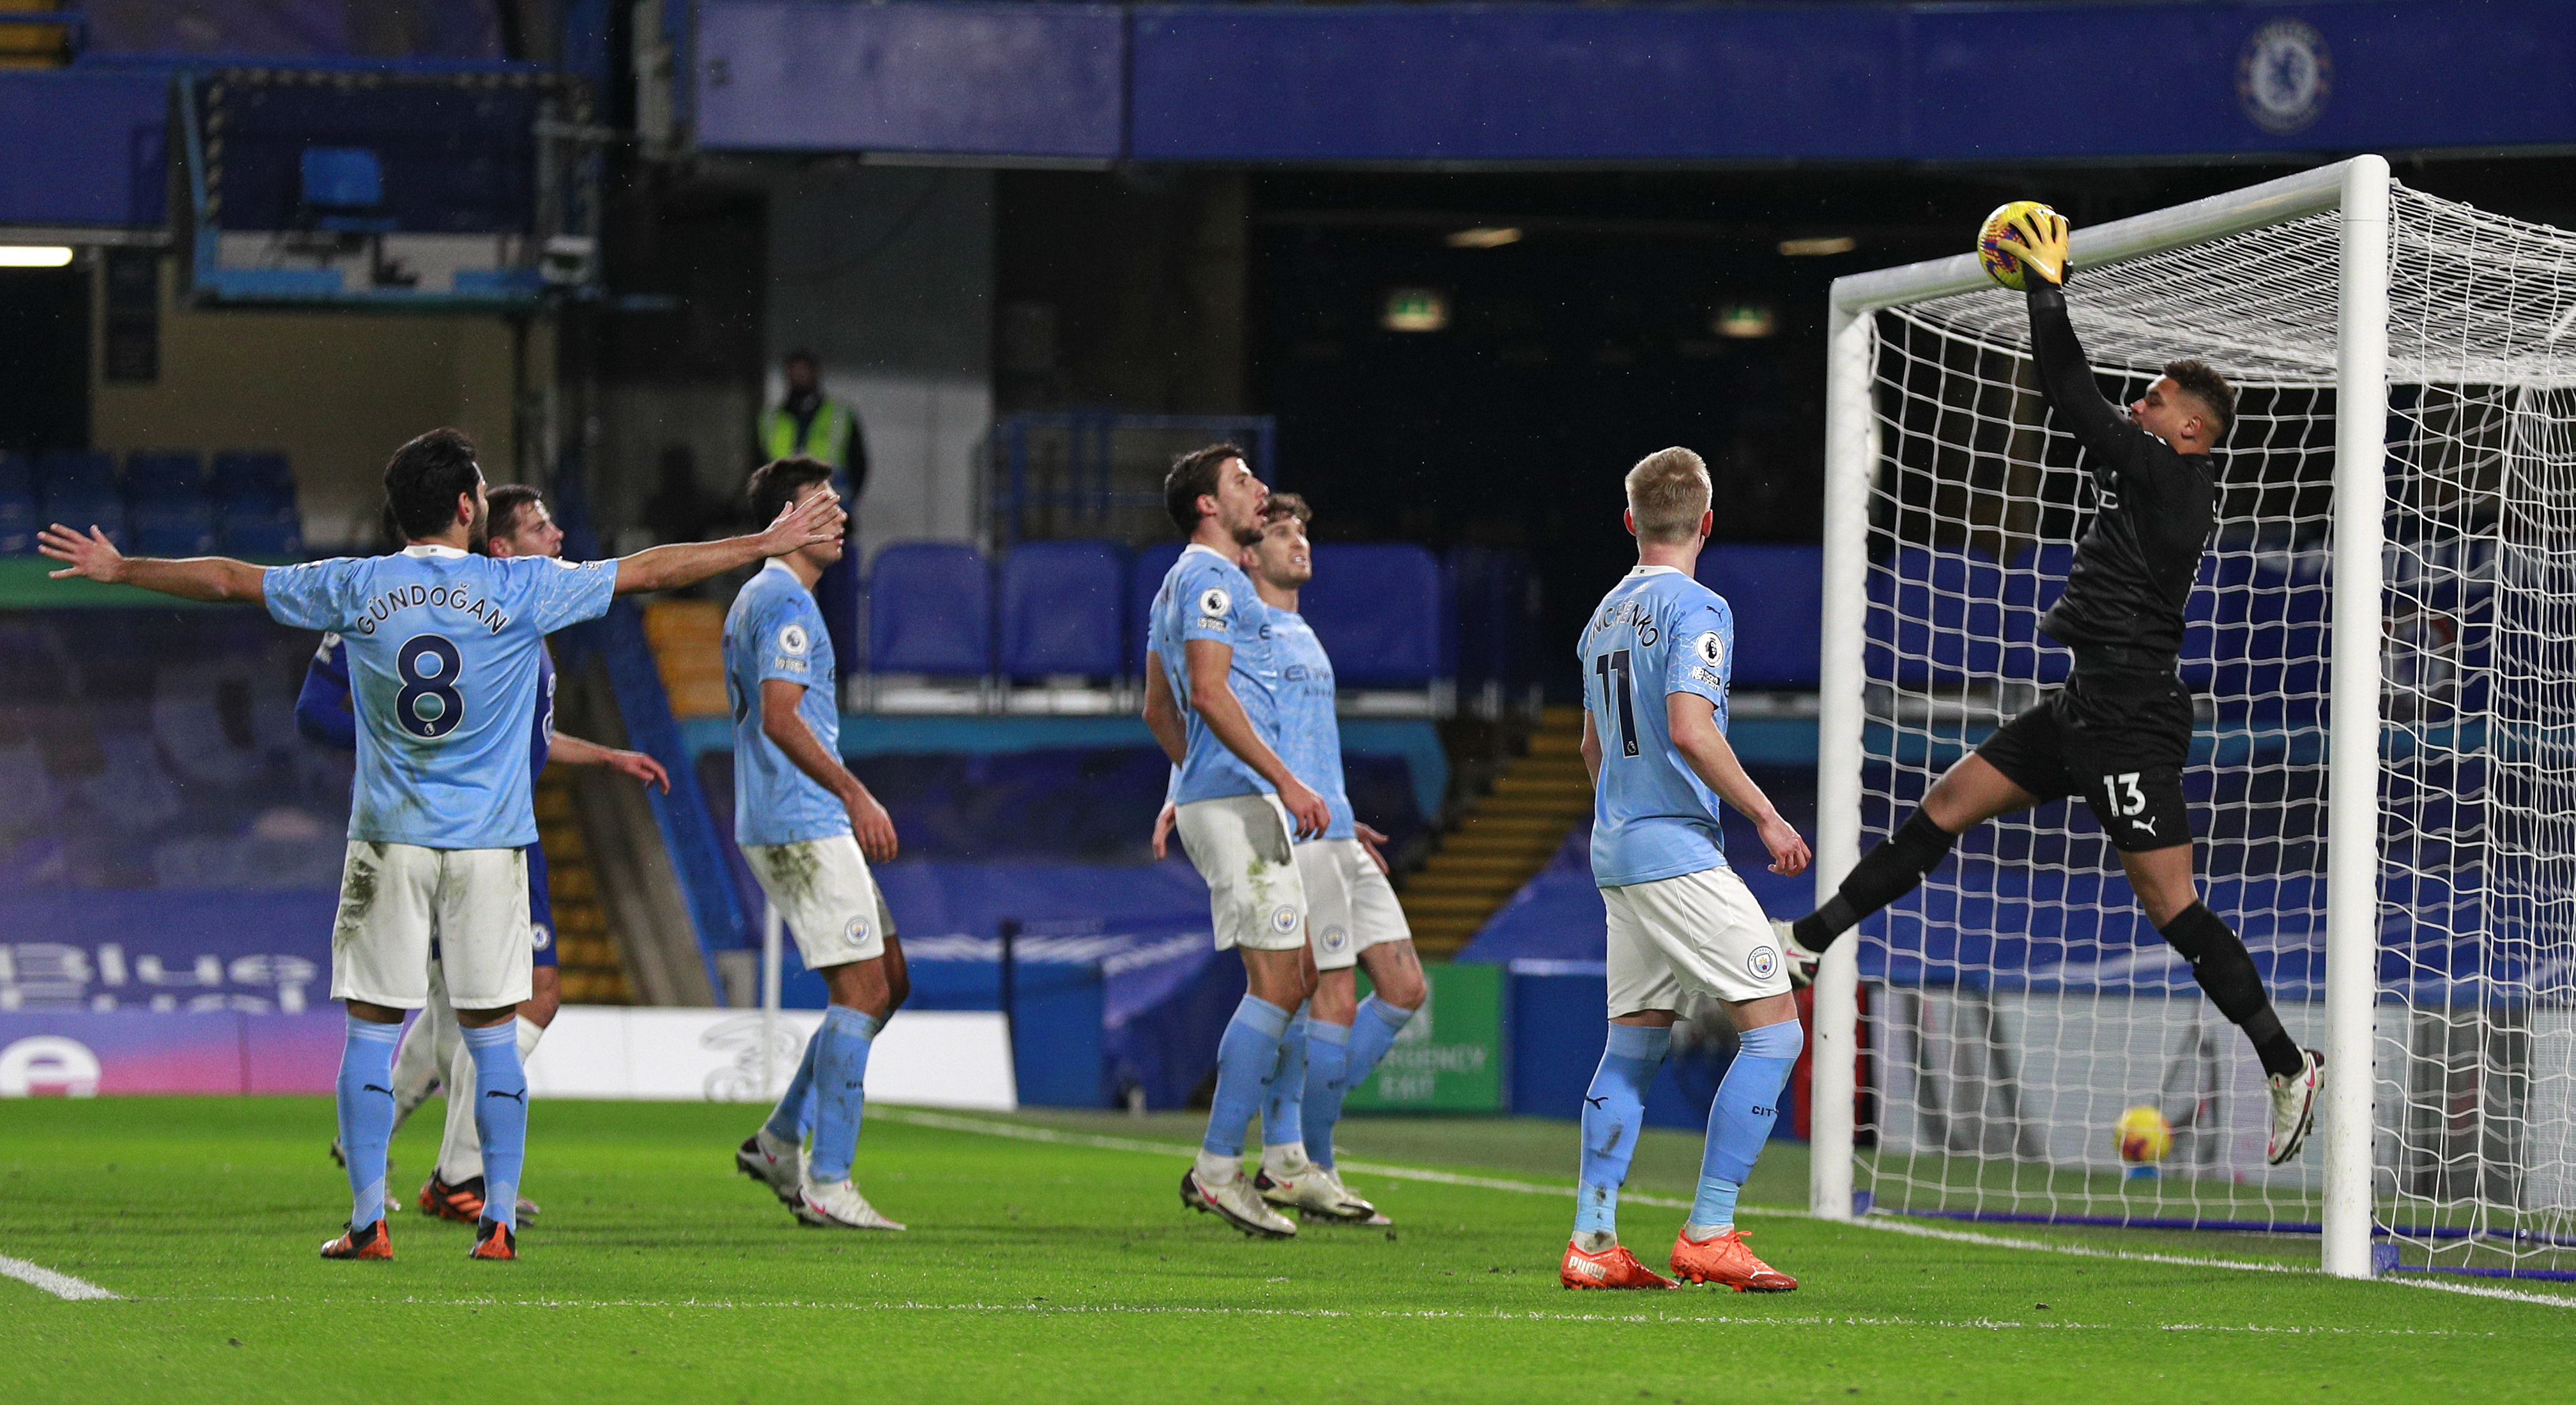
(1212, 700)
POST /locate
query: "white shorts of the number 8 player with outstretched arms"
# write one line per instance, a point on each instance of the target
(398, 896)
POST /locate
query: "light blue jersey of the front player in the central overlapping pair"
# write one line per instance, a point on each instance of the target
(1207, 597)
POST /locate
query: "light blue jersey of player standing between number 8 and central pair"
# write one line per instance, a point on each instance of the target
(777, 633)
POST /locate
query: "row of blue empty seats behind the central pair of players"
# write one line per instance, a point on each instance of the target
(1083, 607)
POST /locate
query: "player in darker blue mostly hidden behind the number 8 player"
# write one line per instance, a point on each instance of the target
(431, 1048)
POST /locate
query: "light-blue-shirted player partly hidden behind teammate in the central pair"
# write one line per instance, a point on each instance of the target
(1351, 909)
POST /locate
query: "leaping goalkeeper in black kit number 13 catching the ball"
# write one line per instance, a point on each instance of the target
(2121, 728)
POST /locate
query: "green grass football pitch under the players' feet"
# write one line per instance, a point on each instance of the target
(1050, 1259)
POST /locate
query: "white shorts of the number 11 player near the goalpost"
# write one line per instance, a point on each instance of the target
(1691, 935)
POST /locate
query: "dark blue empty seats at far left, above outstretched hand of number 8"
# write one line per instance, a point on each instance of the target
(164, 504)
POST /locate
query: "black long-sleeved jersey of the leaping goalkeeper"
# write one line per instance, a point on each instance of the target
(2134, 568)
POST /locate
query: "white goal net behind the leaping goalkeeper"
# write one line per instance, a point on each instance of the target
(2018, 1004)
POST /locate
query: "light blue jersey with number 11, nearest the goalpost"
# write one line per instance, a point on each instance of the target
(1655, 635)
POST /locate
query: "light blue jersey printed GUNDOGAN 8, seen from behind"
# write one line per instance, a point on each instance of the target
(444, 661)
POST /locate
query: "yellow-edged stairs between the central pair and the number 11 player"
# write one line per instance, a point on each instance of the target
(1503, 842)
